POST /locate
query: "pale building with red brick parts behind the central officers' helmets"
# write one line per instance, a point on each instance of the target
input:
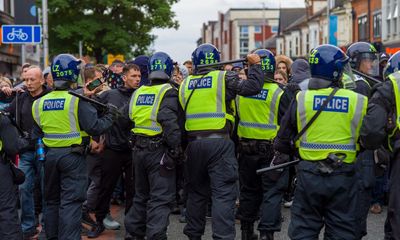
(239, 30)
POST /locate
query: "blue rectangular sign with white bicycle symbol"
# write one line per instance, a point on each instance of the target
(20, 34)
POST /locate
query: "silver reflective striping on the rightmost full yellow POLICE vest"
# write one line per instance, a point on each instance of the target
(354, 123)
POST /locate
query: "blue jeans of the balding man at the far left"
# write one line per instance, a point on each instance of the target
(30, 166)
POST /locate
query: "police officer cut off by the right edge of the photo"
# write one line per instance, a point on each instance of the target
(381, 125)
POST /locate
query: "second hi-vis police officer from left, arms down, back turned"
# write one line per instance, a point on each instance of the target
(154, 111)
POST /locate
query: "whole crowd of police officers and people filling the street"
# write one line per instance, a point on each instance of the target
(160, 137)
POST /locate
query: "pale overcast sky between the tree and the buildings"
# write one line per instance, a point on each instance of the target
(191, 14)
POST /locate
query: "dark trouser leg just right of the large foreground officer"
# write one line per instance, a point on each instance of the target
(366, 180)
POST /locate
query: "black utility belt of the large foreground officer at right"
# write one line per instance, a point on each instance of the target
(332, 165)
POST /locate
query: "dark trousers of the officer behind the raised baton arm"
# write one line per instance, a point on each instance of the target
(260, 191)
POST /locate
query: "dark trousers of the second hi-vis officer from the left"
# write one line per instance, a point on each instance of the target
(154, 195)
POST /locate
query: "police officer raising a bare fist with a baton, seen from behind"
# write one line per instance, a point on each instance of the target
(207, 99)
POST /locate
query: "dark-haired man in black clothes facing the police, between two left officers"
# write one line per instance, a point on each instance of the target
(116, 157)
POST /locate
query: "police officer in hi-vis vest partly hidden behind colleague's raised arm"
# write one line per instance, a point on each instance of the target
(257, 127)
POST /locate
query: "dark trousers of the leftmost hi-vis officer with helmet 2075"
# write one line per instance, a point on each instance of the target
(65, 178)
